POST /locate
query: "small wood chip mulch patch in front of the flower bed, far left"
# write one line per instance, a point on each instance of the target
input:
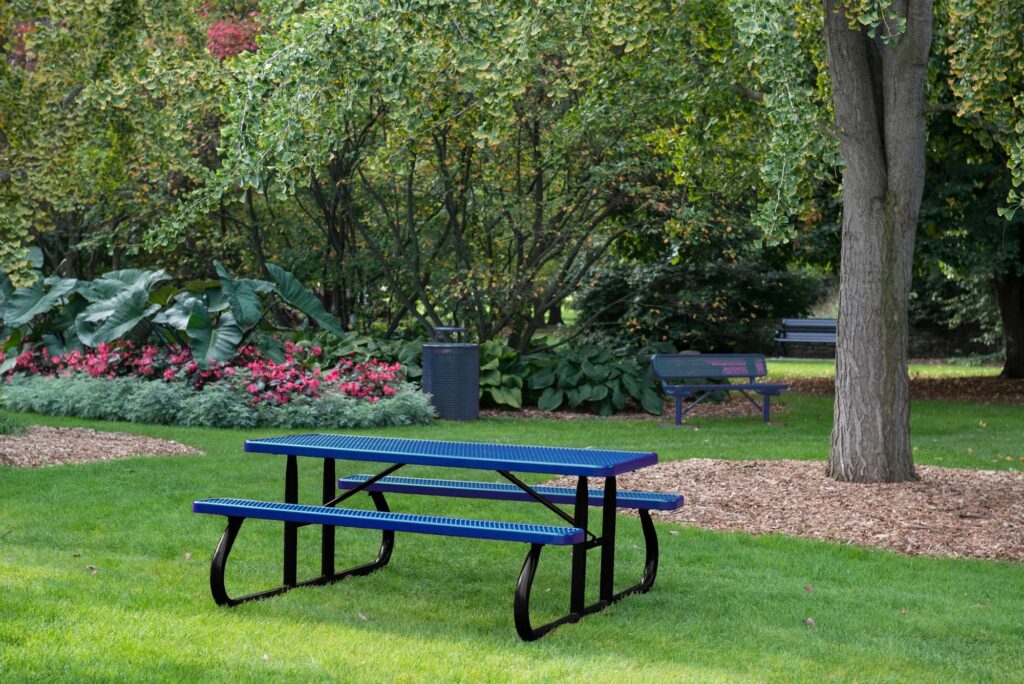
(51, 447)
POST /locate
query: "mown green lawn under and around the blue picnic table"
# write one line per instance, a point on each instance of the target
(727, 607)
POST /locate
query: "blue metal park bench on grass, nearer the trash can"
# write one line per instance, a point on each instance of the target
(700, 376)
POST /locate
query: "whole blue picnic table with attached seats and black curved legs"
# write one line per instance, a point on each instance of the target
(506, 460)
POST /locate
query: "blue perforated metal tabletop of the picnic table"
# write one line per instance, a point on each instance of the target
(553, 460)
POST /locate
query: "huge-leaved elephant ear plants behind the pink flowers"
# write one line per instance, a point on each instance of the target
(212, 318)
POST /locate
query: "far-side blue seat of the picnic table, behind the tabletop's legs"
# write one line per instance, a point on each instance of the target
(503, 492)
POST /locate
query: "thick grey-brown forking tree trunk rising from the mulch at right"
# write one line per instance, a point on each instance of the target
(879, 96)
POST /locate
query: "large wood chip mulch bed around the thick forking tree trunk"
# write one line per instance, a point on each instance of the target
(950, 512)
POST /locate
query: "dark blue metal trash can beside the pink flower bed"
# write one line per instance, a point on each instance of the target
(452, 376)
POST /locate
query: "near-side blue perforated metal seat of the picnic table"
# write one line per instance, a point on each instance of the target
(400, 523)
